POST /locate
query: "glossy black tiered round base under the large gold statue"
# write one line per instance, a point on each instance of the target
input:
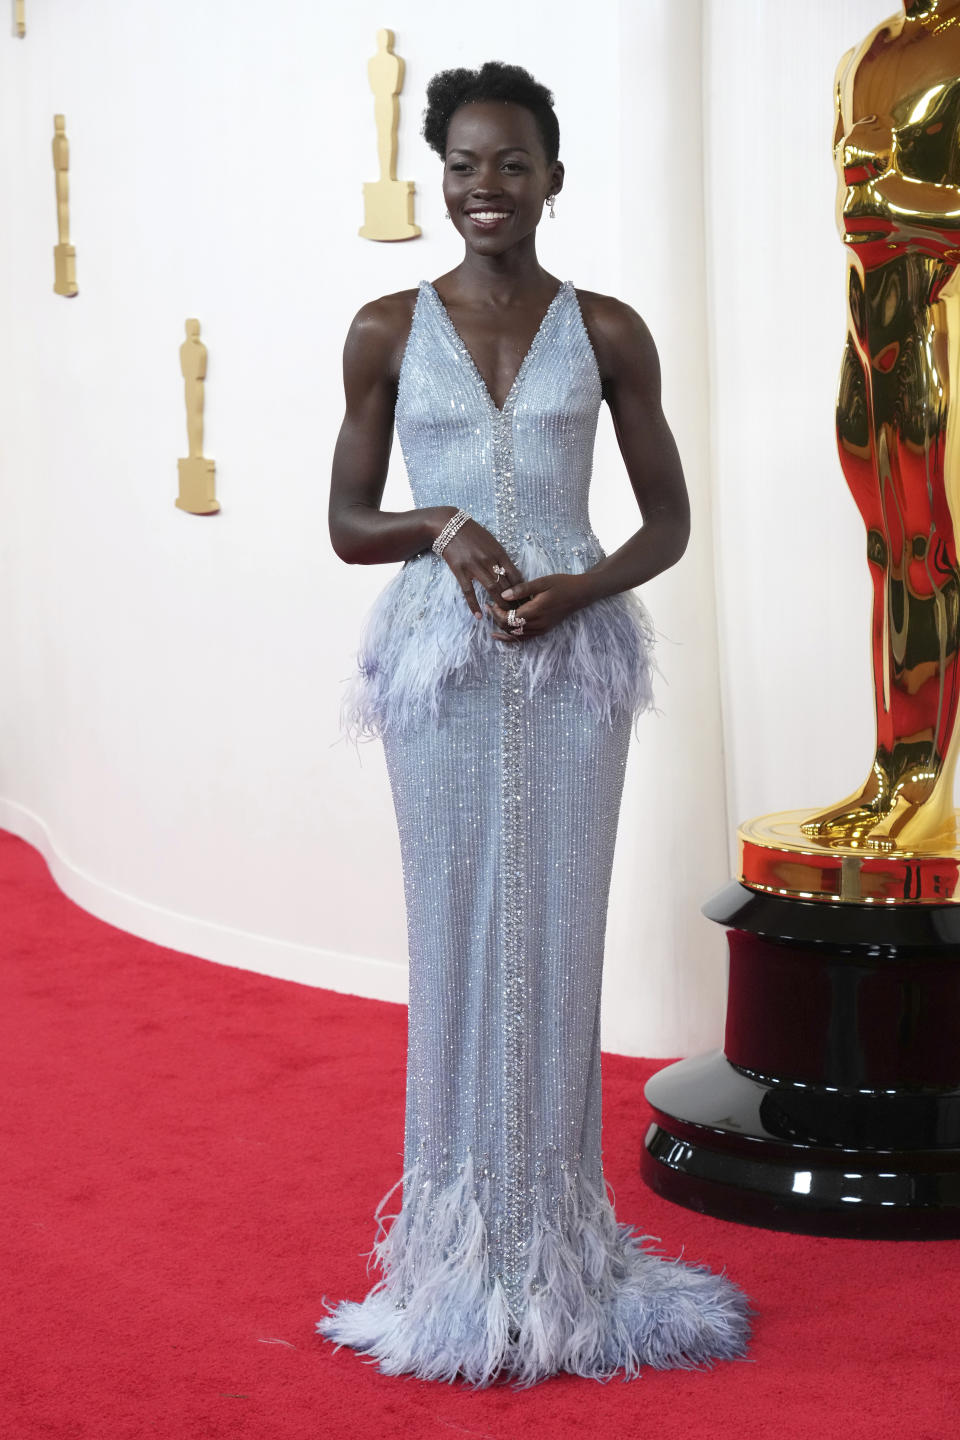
(836, 1105)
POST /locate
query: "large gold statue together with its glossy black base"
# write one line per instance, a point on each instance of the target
(836, 1104)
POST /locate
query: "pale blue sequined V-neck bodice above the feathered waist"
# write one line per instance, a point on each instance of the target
(453, 434)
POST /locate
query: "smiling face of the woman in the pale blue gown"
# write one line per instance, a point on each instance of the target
(496, 175)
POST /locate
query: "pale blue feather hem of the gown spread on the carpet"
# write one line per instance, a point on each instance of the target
(597, 1301)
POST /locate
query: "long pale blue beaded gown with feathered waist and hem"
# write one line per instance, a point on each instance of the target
(504, 1259)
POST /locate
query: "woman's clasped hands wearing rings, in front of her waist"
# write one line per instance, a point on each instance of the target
(476, 555)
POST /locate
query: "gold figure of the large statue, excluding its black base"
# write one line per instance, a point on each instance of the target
(897, 153)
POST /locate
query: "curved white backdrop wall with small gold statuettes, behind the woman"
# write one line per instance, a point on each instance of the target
(171, 685)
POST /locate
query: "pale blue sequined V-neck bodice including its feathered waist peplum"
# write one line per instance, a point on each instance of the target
(523, 472)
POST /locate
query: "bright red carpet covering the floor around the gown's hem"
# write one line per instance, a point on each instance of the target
(192, 1157)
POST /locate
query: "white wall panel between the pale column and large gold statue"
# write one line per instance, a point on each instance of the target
(794, 593)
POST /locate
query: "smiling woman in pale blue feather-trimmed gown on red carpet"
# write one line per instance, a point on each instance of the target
(503, 669)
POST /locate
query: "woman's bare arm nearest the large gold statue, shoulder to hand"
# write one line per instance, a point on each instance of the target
(631, 378)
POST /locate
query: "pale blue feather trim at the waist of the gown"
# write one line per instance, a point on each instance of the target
(421, 636)
